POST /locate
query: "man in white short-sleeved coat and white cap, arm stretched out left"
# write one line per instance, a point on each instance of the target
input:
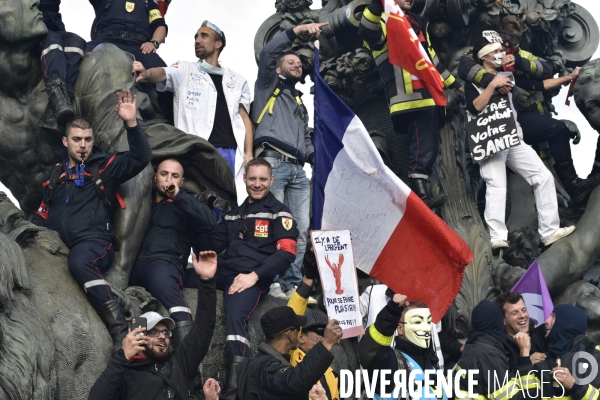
(210, 101)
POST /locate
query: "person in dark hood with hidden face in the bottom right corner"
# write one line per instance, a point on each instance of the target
(570, 353)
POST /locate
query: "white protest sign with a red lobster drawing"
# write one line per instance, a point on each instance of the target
(333, 251)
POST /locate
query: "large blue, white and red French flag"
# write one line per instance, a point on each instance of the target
(396, 238)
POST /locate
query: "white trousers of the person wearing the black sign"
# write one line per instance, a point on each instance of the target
(524, 161)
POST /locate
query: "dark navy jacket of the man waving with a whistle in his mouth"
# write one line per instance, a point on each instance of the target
(77, 213)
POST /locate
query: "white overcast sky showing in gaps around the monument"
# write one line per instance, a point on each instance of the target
(241, 19)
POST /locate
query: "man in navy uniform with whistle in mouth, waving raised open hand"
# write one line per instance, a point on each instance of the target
(79, 194)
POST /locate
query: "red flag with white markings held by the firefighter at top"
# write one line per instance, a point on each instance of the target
(406, 51)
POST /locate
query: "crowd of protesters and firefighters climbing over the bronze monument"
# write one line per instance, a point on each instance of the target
(262, 242)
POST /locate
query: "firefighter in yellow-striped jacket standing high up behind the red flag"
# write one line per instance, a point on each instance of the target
(413, 110)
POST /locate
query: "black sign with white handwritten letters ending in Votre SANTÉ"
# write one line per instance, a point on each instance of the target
(492, 130)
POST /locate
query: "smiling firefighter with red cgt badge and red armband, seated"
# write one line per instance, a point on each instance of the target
(255, 242)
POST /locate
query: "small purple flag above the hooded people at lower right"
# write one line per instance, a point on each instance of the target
(532, 287)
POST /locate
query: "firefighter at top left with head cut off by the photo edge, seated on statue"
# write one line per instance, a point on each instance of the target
(134, 26)
